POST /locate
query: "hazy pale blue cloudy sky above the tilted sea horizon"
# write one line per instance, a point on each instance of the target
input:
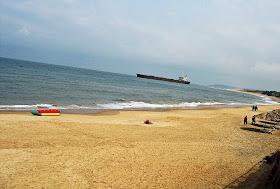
(230, 42)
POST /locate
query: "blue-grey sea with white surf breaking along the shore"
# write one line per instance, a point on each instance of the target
(26, 85)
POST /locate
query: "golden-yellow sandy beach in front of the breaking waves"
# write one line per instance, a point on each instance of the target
(208, 148)
